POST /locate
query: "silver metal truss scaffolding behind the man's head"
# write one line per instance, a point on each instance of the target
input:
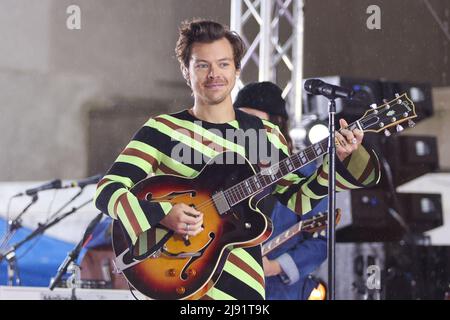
(273, 21)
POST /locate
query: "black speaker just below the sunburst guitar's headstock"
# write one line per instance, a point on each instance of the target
(410, 157)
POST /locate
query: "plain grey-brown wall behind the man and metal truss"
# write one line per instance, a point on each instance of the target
(51, 78)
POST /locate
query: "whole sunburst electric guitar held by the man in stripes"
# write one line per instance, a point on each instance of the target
(180, 268)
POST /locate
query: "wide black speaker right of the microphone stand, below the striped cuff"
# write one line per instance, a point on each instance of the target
(368, 215)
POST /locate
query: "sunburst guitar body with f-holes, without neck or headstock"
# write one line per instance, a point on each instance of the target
(164, 276)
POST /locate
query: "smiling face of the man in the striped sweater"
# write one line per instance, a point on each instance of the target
(212, 73)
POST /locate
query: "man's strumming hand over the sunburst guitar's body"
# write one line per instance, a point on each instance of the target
(184, 220)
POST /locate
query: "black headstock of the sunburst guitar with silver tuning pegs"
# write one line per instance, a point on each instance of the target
(390, 114)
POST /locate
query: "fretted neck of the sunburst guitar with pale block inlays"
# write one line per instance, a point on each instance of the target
(276, 172)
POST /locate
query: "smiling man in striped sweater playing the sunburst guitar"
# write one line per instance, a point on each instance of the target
(180, 144)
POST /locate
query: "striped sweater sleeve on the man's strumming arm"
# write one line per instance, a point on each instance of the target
(113, 197)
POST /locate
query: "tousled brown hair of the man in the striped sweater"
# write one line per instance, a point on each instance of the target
(206, 31)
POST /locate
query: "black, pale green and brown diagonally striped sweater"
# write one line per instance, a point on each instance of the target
(150, 152)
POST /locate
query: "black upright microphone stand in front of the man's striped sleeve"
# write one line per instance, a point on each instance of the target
(331, 227)
